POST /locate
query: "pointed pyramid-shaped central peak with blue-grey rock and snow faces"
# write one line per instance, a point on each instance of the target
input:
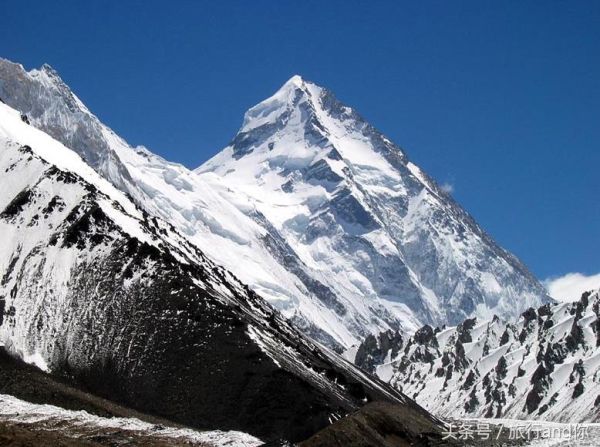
(391, 245)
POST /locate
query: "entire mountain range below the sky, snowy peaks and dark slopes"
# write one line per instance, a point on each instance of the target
(220, 298)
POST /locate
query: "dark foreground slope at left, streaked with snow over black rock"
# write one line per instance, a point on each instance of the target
(95, 290)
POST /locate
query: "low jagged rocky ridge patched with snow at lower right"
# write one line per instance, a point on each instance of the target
(545, 365)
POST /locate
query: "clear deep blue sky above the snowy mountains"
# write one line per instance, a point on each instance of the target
(499, 98)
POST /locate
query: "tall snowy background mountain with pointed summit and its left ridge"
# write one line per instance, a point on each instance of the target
(311, 207)
